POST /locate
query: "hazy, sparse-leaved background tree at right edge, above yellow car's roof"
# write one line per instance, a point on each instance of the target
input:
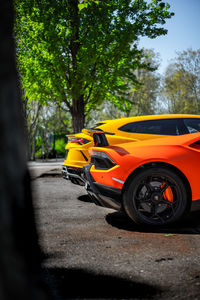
(182, 83)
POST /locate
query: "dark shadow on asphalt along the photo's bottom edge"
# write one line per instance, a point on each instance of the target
(82, 284)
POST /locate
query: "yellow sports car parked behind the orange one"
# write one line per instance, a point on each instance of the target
(120, 131)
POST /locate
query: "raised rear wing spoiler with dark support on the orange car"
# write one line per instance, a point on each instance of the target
(99, 137)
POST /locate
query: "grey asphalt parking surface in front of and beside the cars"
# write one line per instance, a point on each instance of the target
(96, 253)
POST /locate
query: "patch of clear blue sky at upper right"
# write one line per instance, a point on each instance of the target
(183, 32)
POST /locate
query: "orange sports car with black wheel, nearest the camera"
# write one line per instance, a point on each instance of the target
(155, 182)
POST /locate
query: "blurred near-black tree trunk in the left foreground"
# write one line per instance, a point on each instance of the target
(20, 269)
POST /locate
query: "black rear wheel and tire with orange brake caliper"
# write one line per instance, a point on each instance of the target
(155, 196)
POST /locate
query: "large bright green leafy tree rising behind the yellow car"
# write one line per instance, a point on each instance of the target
(79, 53)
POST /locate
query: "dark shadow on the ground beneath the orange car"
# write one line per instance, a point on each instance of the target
(189, 225)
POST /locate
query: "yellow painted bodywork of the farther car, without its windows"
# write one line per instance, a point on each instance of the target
(78, 155)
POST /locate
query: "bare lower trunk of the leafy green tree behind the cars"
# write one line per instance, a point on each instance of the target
(78, 114)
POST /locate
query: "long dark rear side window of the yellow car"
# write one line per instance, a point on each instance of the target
(161, 127)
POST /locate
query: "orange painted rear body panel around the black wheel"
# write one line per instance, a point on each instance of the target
(174, 151)
